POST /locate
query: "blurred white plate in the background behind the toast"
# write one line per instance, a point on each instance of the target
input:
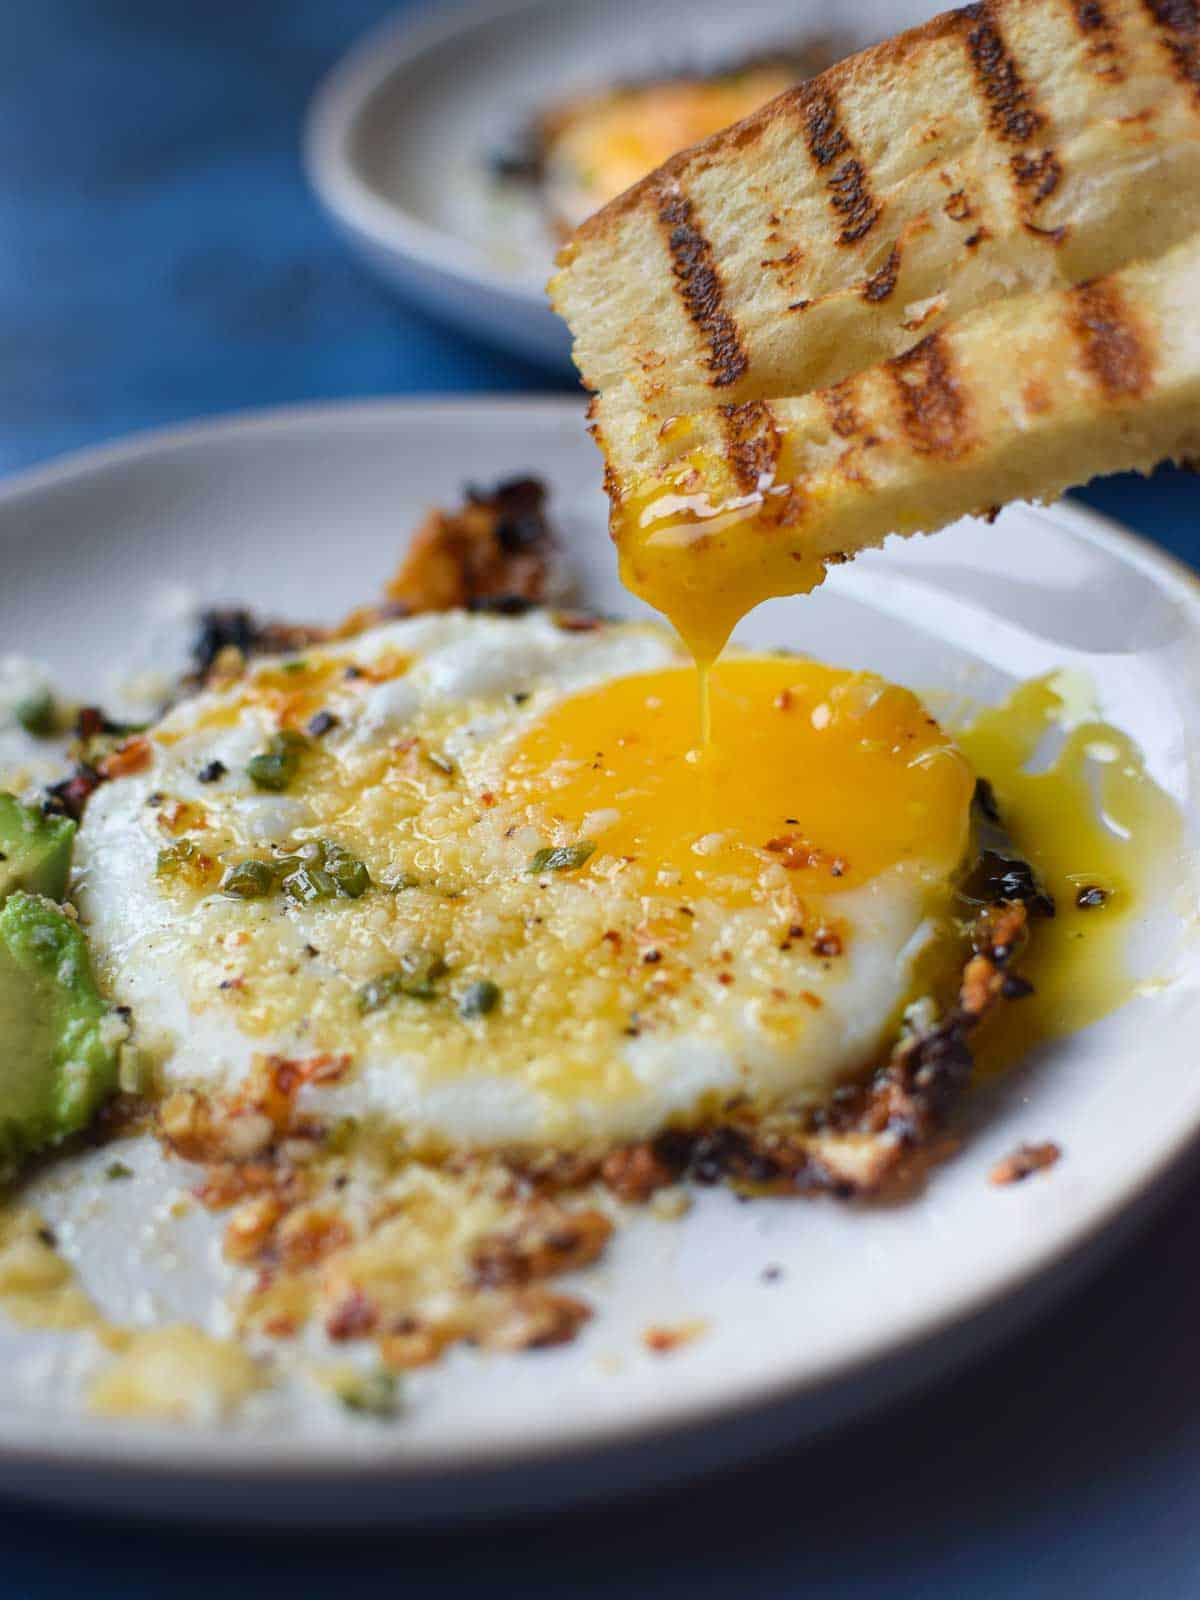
(402, 134)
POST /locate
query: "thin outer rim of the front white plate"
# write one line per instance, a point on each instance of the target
(126, 1450)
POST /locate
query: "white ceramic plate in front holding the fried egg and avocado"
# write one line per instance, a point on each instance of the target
(305, 513)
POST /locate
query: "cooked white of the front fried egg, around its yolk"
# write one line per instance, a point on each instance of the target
(481, 682)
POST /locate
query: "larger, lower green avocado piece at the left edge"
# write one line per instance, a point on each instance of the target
(60, 1042)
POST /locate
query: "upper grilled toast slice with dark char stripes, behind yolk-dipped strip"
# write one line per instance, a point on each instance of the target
(1012, 146)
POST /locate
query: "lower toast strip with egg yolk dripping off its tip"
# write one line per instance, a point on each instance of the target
(1015, 401)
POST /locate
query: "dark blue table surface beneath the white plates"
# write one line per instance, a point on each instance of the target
(164, 260)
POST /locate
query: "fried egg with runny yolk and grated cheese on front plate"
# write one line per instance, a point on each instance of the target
(482, 868)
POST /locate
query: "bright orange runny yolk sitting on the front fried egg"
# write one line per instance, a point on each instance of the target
(834, 777)
